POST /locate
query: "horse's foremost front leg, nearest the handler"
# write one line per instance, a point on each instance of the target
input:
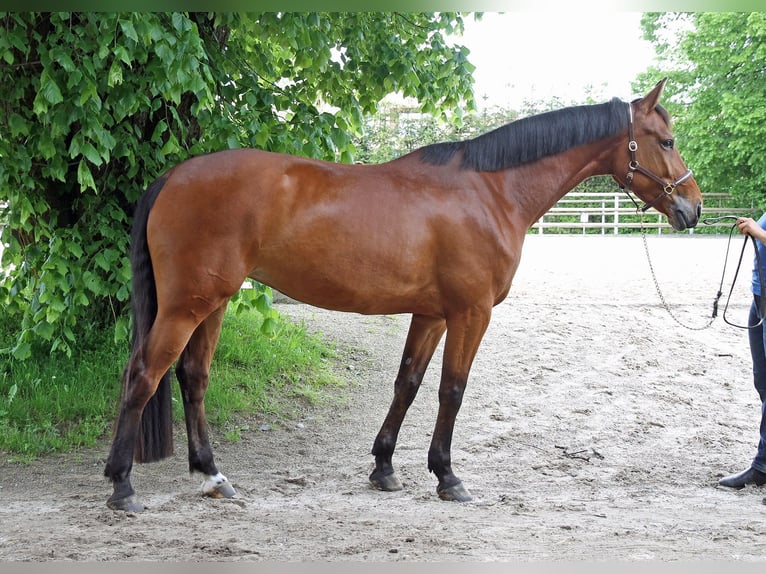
(464, 334)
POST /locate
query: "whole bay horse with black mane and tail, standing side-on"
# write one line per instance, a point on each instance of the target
(436, 233)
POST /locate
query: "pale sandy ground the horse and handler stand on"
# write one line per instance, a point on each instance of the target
(594, 428)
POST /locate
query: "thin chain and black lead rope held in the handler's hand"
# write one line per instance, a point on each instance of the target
(762, 308)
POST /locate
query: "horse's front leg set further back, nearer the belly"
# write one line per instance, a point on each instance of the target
(423, 337)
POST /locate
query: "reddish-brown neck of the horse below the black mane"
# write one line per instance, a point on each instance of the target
(532, 189)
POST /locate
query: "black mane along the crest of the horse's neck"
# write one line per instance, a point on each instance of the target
(533, 138)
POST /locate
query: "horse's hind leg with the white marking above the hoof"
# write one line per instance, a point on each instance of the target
(193, 372)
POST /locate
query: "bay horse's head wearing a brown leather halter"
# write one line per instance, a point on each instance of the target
(653, 168)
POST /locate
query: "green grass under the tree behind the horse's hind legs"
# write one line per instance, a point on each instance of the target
(51, 403)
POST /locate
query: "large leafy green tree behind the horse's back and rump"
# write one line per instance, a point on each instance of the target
(93, 106)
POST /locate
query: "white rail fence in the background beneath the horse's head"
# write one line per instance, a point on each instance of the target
(611, 213)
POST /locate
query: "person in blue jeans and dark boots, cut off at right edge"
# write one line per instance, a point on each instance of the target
(756, 474)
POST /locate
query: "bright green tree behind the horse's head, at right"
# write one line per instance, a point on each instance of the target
(716, 62)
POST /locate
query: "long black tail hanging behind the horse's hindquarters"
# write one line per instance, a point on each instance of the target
(155, 437)
